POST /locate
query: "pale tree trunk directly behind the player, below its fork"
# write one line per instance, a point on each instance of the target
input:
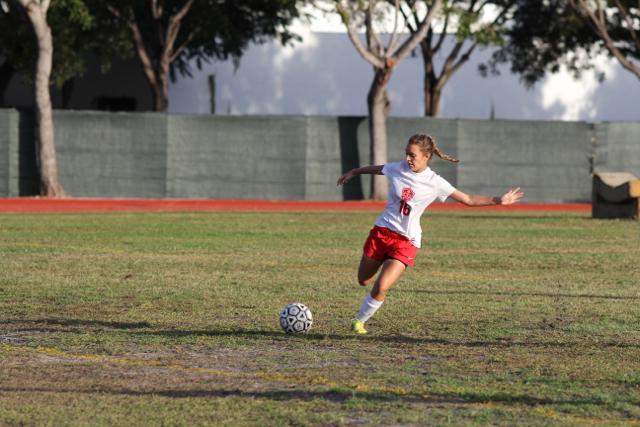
(378, 105)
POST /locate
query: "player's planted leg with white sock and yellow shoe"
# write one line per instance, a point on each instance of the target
(391, 271)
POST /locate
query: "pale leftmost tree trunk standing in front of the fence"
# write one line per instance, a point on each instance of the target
(46, 152)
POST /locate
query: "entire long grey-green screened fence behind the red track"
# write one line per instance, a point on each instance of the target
(300, 157)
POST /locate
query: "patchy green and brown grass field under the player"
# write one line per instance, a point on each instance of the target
(172, 319)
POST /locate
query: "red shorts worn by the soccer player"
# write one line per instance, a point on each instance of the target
(383, 243)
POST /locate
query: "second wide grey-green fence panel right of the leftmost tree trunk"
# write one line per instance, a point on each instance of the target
(236, 157)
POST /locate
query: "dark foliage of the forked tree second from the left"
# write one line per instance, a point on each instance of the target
(210, 29)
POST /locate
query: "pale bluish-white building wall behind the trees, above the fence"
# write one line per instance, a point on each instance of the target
(324, 75)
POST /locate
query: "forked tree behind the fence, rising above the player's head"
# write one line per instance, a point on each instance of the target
(465, 21)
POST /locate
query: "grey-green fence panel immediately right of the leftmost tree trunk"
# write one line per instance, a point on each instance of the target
(112, 155)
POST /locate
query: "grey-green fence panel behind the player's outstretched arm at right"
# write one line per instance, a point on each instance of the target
(548, 160)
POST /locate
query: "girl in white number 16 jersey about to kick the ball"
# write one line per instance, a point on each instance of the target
(395, 238)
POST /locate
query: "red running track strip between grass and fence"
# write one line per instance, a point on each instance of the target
(41, 205)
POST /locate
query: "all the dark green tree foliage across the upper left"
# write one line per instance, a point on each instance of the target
(81, 28)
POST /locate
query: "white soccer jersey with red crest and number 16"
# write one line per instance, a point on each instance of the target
(409, 195)
